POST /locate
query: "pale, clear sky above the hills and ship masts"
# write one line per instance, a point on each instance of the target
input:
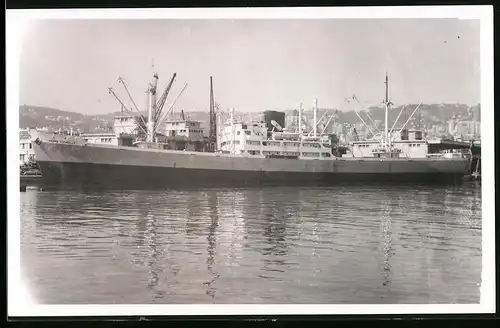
(256, 64)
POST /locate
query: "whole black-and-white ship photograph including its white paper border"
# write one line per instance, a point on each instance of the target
(317, 159)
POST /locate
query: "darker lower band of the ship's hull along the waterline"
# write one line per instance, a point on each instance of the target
(124, 176)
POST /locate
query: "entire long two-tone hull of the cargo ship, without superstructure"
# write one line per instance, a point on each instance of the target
(126, 167)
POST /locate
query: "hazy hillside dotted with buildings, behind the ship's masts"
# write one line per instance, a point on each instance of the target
(427, 116)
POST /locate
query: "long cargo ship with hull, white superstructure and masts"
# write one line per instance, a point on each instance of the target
(243, 154)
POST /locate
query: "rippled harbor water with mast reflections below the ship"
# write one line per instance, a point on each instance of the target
(331, 245)
